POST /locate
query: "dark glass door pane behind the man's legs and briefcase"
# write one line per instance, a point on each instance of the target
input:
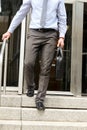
(64, 83)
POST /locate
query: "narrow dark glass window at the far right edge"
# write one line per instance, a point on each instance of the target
(84, 56)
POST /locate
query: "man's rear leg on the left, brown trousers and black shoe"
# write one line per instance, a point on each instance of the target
(32, 48)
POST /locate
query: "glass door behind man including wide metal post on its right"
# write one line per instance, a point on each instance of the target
(70, 83)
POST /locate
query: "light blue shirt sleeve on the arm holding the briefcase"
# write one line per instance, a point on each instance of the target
(61, 13)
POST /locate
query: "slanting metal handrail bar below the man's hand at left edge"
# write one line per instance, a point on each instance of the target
(1, 61)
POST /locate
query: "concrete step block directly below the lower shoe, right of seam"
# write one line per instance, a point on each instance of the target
(60, 115)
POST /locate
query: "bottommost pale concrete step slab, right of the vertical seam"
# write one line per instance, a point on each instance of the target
(35, 125)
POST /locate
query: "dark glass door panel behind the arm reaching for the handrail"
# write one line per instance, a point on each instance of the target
(8, 9)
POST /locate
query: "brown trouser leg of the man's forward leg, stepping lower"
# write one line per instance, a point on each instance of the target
(46, 54)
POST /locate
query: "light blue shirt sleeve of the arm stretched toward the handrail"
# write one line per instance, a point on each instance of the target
(21, 13)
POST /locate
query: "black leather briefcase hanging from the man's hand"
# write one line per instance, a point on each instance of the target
(59, 64)
